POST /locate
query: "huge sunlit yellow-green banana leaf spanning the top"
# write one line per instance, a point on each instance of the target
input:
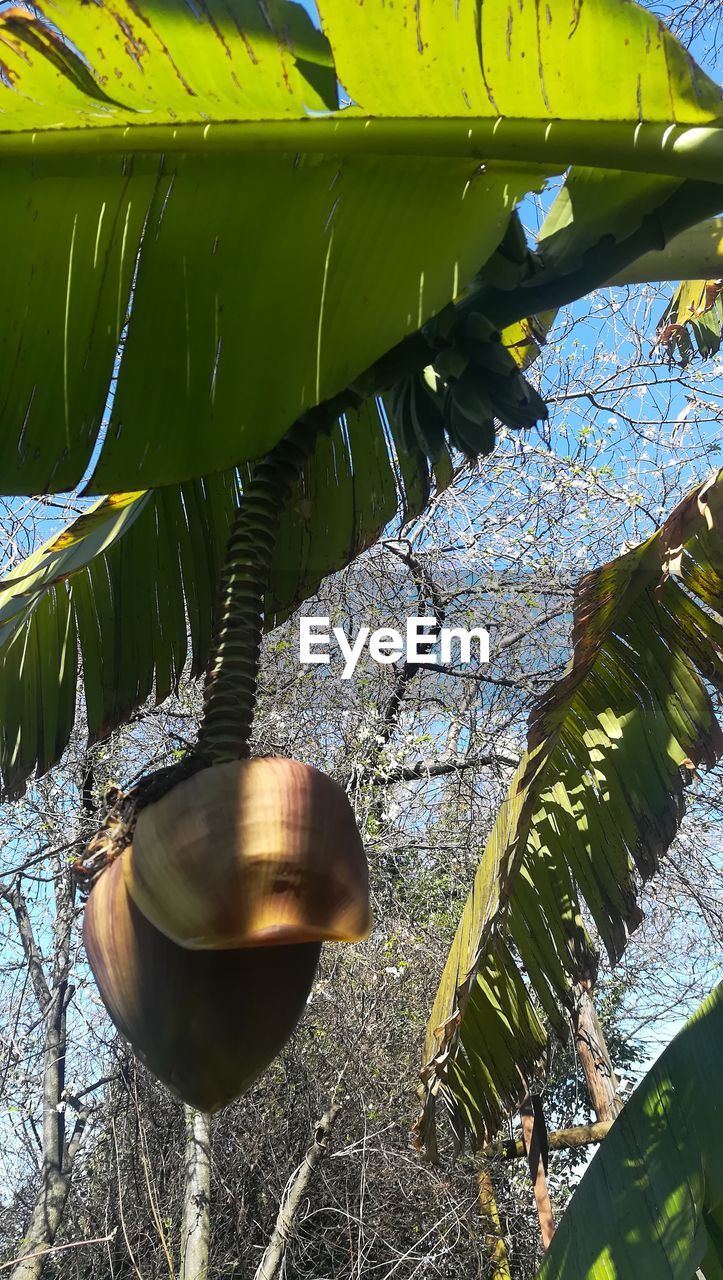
(205, 246)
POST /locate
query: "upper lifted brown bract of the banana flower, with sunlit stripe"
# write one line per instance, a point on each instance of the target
(251, 853)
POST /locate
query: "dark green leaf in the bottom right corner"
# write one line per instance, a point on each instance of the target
(651, 1205)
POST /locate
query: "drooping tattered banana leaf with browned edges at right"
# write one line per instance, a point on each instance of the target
(596, 802)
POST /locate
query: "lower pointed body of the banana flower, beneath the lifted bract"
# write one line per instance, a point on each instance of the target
(207, 1023)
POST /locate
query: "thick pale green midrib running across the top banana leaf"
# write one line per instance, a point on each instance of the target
(666, 149)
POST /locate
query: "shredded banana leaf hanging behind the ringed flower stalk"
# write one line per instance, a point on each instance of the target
(130, 587)
